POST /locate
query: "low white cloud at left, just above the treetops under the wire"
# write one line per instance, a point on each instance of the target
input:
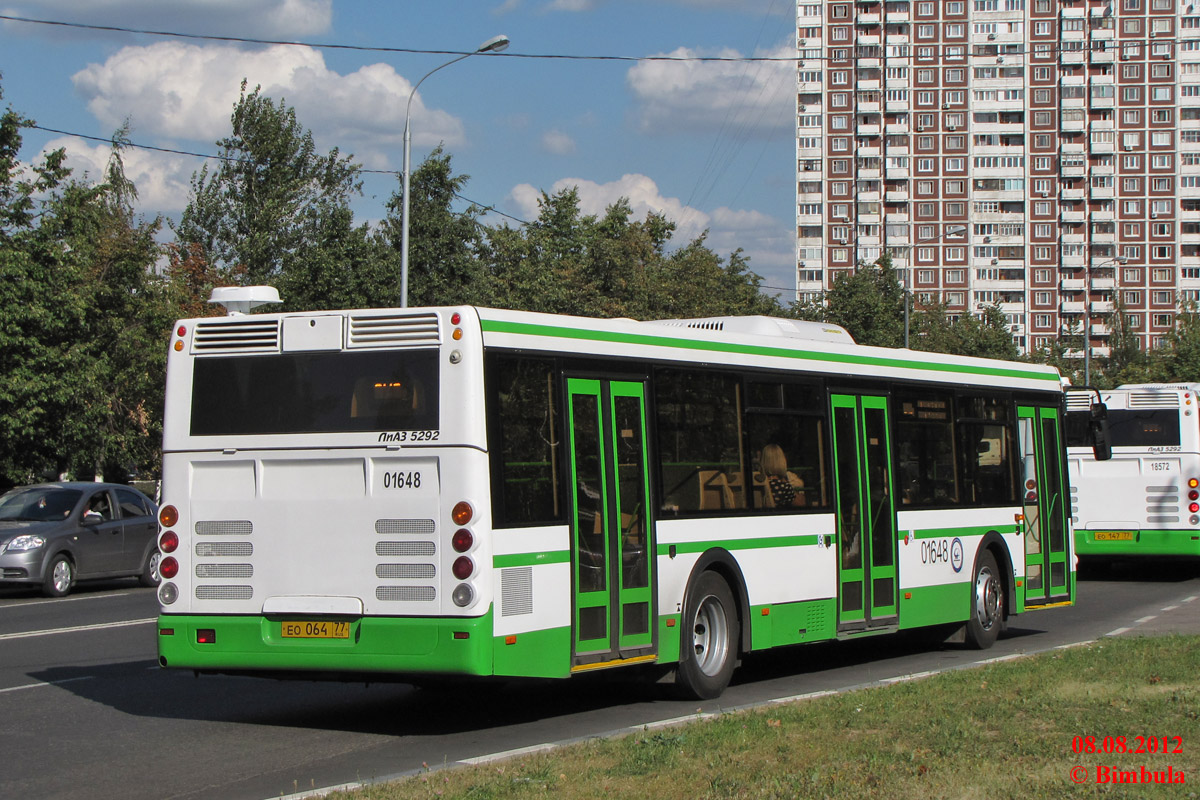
(163, 179)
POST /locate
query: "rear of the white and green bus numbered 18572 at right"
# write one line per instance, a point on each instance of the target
(1147, 500)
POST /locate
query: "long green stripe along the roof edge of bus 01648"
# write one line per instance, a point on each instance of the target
(530, 329)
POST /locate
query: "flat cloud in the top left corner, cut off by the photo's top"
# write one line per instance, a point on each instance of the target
(271, 19)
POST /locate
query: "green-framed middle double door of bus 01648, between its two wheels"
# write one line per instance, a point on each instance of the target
(866, 508)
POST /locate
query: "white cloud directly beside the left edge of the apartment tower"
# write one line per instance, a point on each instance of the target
(740, 98)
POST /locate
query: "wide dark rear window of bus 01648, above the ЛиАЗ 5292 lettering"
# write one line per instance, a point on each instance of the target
(316, 393)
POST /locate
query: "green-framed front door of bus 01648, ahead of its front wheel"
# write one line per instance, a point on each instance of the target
(1045, 506)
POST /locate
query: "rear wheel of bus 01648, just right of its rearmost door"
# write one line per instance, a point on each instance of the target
(709, 651)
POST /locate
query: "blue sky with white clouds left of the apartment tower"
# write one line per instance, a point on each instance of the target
(711, 145)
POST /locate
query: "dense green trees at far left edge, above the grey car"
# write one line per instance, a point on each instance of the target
(81, 328)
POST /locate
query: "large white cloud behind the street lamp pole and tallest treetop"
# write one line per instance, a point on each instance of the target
(187, 92)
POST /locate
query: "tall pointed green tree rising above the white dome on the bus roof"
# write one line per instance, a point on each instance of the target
(272, 197)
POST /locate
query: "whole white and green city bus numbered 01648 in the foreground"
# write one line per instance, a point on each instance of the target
(431, 492)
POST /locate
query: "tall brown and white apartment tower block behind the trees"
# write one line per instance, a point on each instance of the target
(1039, 154)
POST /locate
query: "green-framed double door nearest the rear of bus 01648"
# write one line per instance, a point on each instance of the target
(611, 544)
